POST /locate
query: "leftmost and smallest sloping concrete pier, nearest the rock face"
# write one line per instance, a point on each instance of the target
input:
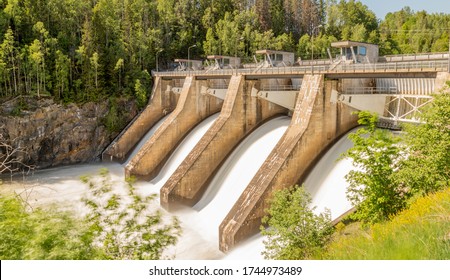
(160, 104)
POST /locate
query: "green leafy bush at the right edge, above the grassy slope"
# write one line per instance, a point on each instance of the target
(427, 167)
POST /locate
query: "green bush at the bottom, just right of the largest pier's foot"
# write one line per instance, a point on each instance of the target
(294, 231)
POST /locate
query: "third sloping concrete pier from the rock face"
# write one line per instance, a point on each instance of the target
(241, 113)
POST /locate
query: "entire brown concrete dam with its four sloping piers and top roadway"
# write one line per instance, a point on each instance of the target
(319, 99)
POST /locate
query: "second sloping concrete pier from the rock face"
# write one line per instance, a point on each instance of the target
(192, 108)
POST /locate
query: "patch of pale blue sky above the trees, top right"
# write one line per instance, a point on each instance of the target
(382, 7)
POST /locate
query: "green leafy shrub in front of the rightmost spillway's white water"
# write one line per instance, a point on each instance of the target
(372, 188)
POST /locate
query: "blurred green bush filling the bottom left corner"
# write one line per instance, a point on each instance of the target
(41, 233)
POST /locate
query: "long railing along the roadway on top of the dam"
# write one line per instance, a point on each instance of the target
(405, 66)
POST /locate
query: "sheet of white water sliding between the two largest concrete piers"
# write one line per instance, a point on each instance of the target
(235, 174)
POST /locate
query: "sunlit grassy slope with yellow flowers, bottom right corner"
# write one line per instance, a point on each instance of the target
(421, 232)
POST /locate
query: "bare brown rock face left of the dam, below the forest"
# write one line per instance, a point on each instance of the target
(54, 134)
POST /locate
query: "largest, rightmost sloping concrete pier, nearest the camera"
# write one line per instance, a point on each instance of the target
(315, 125)
